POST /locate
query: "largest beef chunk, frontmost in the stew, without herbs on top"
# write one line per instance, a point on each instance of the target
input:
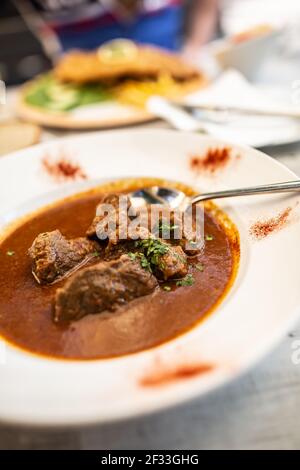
(104, 286)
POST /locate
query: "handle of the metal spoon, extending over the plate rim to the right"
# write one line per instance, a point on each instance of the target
(266, 188)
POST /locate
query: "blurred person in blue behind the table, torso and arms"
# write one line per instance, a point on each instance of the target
(67, 24)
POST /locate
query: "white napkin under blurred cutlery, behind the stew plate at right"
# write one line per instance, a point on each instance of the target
(232, 89)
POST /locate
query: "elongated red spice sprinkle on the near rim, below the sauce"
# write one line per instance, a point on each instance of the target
(182, 372)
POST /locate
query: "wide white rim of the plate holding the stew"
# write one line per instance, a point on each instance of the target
(261, 306)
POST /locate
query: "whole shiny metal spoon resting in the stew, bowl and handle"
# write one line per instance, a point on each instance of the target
(177, 199)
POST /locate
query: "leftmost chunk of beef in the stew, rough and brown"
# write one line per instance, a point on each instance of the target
(53, 256)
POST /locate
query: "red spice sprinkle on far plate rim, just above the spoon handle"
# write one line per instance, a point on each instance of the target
(215, 159)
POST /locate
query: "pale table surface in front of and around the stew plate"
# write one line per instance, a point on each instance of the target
(257, 411)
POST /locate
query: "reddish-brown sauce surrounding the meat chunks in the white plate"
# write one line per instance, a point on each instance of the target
(26, 308)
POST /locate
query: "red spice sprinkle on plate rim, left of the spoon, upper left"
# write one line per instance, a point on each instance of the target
(63, 169)
